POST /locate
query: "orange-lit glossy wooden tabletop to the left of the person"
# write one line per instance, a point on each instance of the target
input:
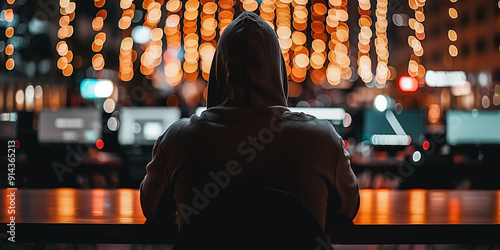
(67, 205)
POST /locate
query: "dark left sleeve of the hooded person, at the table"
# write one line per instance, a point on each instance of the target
(155, 182)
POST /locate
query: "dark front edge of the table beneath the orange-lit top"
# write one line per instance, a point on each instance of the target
(357, 234)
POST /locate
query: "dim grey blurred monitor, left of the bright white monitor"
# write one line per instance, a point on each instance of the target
(69, 126)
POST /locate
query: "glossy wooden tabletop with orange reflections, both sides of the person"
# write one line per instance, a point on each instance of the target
(378, 206)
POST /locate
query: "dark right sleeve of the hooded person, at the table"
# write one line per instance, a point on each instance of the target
(343, 203)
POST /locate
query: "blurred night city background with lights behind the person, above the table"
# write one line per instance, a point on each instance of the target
(412, 86)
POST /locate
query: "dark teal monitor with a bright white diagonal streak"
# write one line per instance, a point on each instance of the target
(389, 128)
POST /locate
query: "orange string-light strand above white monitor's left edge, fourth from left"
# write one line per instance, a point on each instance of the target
(127, 55)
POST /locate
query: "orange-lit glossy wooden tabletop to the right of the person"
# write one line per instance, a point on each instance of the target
(429, 207)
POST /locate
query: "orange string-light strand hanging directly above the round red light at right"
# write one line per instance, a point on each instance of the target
(415, 68)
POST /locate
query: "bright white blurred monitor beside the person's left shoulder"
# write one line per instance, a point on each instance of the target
(141, 126)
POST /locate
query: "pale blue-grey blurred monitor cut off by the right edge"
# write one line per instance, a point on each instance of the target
(472, 127)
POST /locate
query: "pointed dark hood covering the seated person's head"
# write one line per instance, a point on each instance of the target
(248, 69)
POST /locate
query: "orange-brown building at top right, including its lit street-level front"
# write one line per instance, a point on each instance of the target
(465, 36)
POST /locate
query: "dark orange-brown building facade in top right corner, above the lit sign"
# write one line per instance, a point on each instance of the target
(473, 27)
